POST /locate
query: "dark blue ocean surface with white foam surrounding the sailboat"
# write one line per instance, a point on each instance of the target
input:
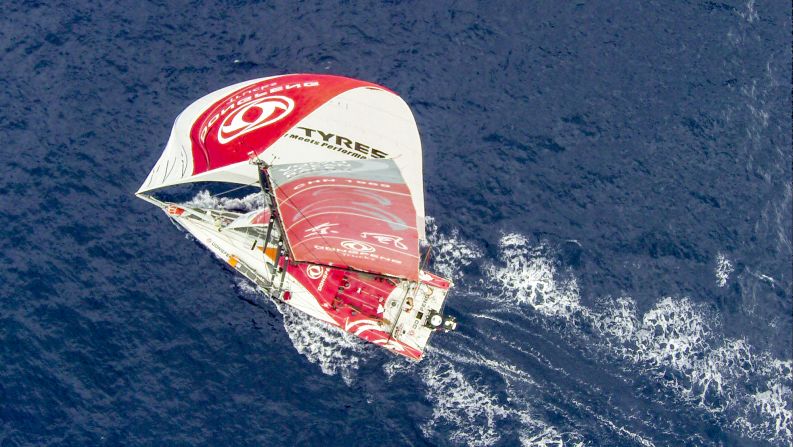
(609, 185)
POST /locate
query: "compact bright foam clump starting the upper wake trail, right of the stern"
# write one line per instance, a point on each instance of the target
(528, 277)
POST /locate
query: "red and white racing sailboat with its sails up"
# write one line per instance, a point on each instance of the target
(338, 162)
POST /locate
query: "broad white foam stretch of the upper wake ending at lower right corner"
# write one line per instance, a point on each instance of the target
(725, 376)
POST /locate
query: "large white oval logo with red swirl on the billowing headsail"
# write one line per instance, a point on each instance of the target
(254, 115)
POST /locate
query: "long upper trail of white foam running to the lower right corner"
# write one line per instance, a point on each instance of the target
(745, 390)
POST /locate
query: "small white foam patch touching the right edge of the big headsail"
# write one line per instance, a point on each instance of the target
(449, 252)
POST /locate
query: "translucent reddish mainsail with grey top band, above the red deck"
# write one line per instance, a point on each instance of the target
(352, 213)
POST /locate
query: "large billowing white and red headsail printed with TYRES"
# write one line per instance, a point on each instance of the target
(291, 119)
